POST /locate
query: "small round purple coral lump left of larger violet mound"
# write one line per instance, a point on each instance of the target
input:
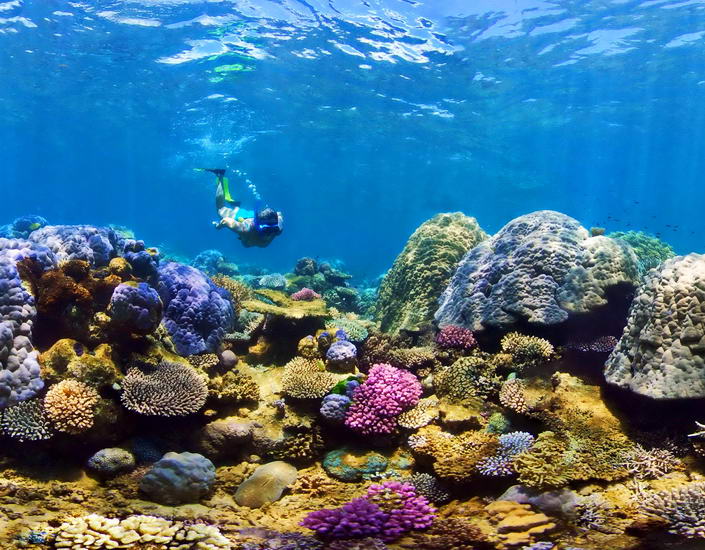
(135, 308)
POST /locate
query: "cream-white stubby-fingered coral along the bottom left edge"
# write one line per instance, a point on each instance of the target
(94, 532)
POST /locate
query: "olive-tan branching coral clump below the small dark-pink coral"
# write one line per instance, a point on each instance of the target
(472, 376)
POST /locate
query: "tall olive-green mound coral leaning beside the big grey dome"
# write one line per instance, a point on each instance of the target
(409, 293)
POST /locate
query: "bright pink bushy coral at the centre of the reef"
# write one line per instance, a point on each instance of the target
(385, 394)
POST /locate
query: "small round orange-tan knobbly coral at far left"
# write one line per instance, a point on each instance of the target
(70, 406)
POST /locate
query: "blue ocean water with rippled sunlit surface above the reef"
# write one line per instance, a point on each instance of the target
(359, 119)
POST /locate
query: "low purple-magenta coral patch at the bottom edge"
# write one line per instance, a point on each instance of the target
(387, 511)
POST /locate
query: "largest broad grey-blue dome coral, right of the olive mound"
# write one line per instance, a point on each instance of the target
(539, 268)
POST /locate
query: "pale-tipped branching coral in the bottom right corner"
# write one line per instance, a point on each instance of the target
(682, 508)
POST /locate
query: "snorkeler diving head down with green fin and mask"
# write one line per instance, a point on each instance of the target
(253, 227)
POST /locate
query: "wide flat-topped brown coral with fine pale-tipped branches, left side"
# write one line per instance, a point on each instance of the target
(168, 389)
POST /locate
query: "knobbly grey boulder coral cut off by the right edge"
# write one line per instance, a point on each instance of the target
(662, 351)
